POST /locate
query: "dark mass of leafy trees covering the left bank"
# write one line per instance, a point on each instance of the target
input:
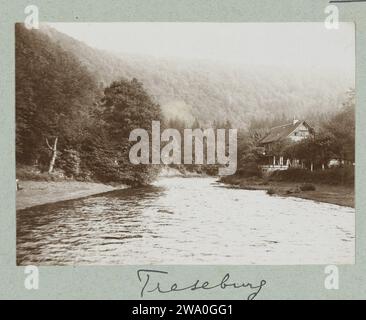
(68, 122)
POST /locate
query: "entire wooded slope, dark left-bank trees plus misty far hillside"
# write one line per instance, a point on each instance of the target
(75, 105)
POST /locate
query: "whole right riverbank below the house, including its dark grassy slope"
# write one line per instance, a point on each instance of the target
(335, 186)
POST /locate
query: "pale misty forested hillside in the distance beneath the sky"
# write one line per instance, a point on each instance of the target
(208, 91)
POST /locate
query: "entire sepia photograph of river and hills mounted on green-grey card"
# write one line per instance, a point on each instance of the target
(185, 143)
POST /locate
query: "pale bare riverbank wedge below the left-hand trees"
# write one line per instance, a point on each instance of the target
(34, 193)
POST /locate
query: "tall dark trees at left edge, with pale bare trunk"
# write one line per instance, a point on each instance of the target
(52, 90)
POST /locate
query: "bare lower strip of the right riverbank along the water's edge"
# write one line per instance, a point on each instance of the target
(334, 194)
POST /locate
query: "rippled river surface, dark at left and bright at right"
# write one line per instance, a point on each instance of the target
(185, 221)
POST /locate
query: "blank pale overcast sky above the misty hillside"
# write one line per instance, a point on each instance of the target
(278, 44)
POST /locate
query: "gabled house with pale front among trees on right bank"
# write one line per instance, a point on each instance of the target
(291, 132)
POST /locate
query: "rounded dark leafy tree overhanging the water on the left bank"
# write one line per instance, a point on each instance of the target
(127, 106)
